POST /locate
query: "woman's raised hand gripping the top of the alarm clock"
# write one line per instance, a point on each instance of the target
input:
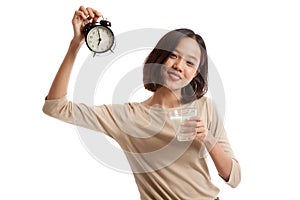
(81, 17)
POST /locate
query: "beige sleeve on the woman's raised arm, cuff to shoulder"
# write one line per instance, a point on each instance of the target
(97, 118)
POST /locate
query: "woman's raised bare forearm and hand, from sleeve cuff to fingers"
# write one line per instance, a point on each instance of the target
(60, 83)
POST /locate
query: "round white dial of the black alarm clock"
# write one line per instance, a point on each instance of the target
(100, 39)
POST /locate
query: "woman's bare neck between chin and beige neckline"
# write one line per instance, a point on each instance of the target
(164, 98)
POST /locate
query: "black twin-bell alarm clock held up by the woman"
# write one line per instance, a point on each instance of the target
(99, 37)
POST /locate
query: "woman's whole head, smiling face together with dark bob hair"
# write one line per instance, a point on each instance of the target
(178, 62)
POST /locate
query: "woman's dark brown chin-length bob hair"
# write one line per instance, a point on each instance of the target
(154, 63)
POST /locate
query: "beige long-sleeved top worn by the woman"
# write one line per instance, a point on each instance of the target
(163, 167)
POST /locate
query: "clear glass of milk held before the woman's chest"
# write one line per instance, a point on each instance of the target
(177, 117)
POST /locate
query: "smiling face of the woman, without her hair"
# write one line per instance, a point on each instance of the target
(181, 65)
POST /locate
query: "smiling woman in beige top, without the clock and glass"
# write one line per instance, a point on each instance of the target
(176, 72)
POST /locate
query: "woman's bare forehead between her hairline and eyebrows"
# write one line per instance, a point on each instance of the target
(189, 48)
